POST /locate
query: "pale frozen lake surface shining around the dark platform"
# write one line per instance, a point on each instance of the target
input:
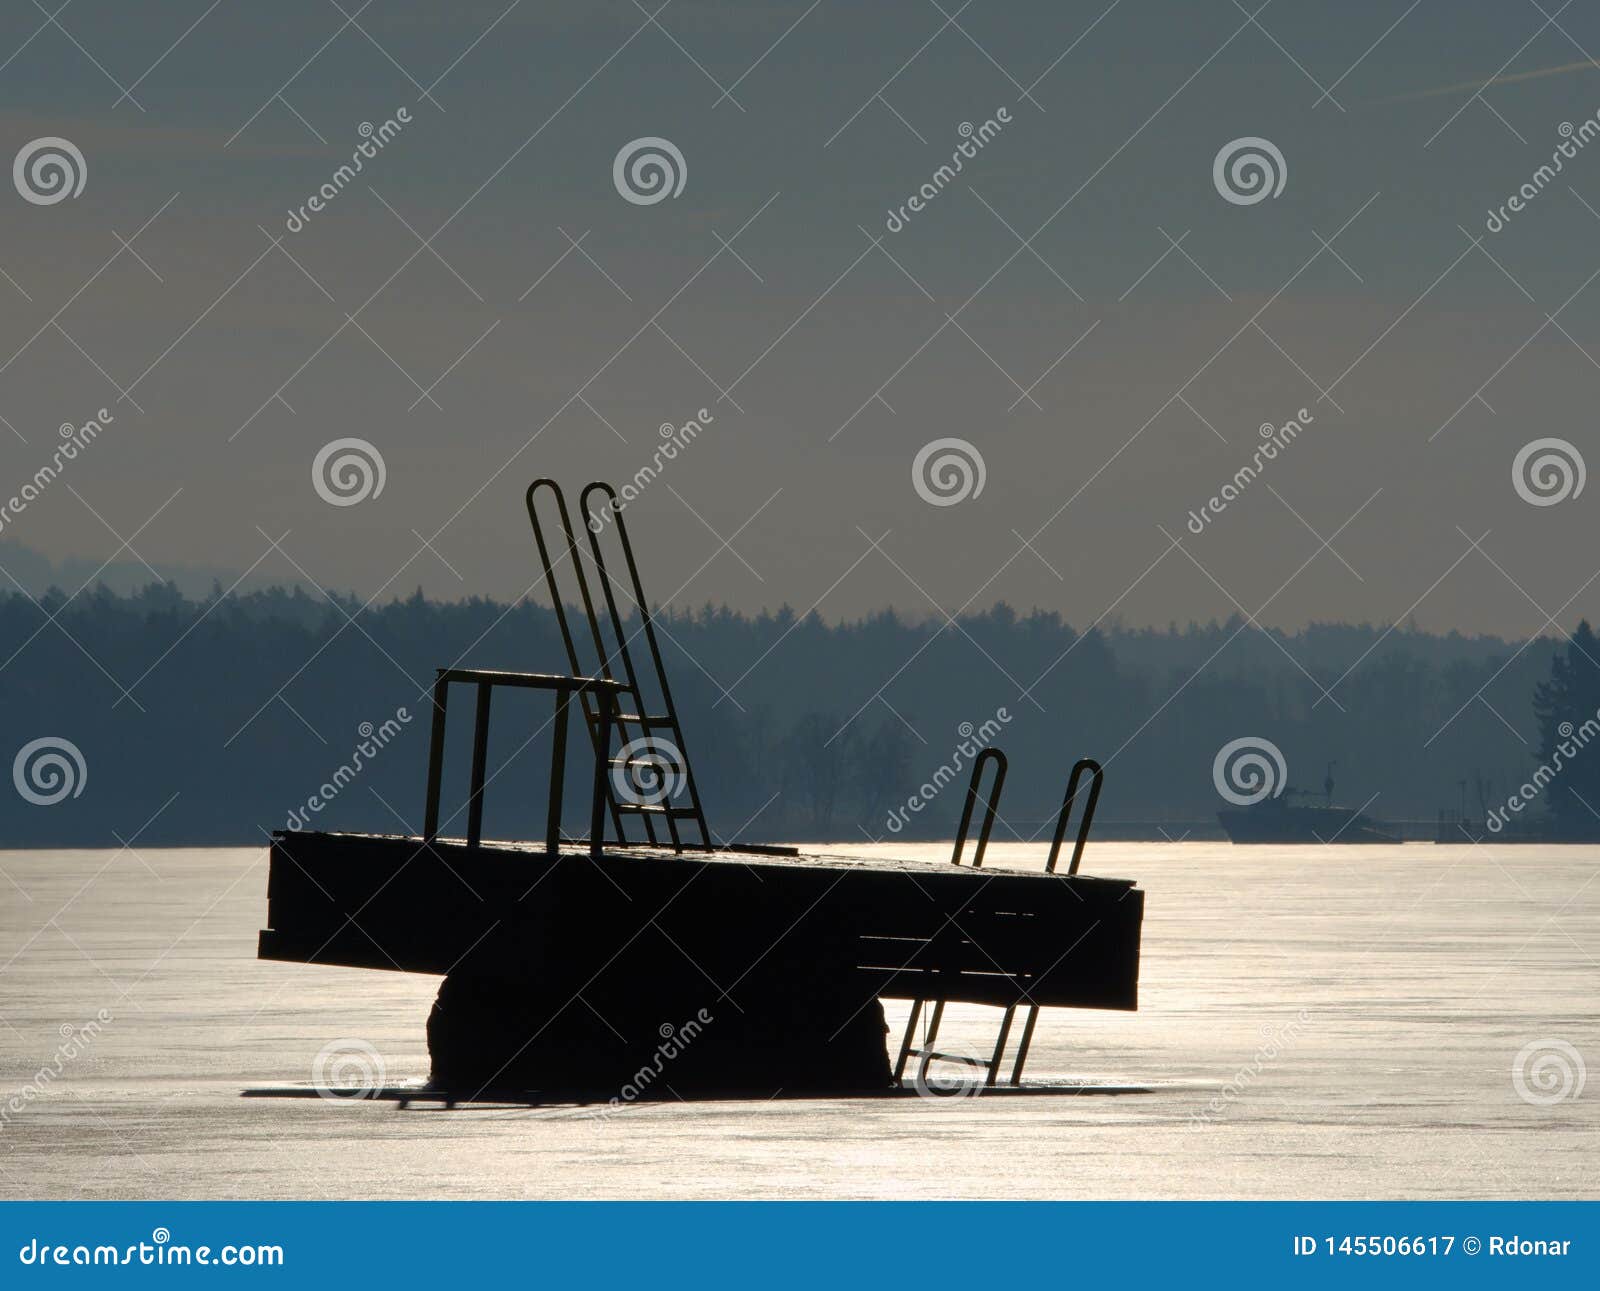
(1334, 1021)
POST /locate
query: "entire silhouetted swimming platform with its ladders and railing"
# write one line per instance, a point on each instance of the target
(601, 962)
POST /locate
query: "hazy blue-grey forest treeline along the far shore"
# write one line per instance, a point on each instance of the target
(212, 721)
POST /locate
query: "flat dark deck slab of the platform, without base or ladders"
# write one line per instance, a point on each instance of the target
(910, 929)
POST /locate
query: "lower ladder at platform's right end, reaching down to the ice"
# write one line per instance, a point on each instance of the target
(991, 1066)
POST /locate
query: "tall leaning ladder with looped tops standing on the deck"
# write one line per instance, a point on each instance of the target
(650, 745)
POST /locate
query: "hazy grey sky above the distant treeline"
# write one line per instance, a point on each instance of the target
(1036, 308)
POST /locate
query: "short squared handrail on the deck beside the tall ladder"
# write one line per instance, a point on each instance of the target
(606, 693)
